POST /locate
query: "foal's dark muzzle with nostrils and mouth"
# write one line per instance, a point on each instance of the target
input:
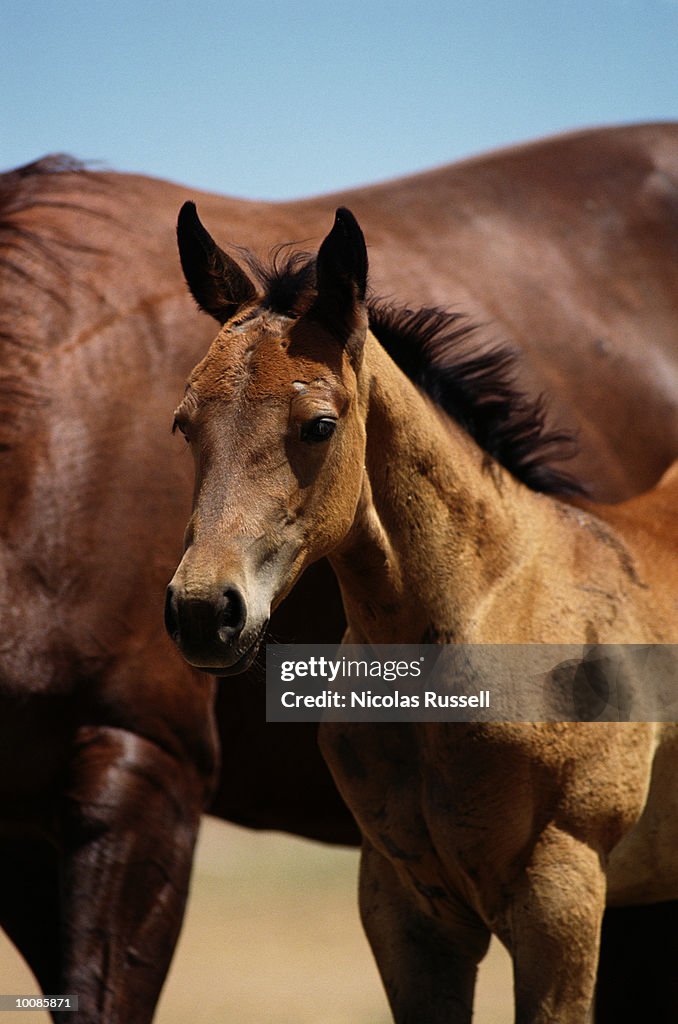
(207, 630)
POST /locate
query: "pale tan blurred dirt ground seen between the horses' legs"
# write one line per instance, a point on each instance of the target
(272, 936)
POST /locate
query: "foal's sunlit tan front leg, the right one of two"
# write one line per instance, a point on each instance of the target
(552, 925)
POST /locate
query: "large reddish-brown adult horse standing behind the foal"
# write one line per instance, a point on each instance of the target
(568, 246)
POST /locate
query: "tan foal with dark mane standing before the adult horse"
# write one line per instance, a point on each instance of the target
(314, 435)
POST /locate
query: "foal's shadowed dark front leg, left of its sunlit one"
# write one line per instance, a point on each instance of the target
(429, 969)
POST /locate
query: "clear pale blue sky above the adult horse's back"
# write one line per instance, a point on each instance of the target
(268, 100)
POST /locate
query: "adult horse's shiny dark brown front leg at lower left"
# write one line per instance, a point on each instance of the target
(132, 818)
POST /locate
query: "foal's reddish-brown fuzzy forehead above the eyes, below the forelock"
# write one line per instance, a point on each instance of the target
(266, 357)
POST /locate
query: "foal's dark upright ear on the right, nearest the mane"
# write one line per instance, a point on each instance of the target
(342, 271)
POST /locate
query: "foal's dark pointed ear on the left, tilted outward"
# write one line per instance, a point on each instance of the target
(217, 282)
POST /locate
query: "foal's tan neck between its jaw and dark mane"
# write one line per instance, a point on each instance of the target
(436, 528)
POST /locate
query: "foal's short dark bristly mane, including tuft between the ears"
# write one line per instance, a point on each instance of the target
(474, 382)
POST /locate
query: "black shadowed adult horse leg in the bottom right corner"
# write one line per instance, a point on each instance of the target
(638, 975)
